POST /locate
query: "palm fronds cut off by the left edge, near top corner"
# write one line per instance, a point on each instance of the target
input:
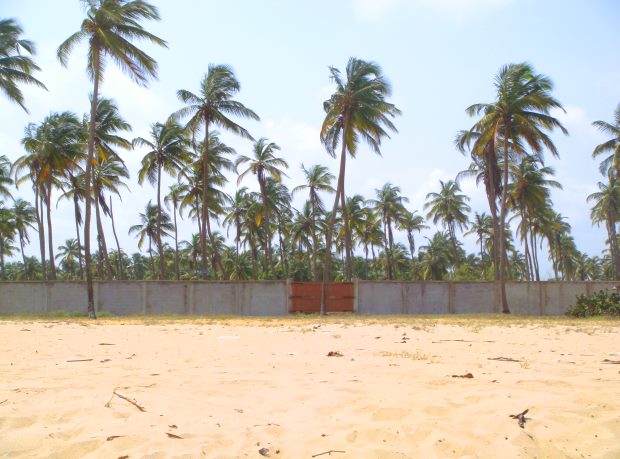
(15, 66)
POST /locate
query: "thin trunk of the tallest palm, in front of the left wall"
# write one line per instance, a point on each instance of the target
(89, 162)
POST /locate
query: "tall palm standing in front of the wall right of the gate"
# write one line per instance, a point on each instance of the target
(519, 116)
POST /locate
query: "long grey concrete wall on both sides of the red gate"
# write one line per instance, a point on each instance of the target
(271, 298)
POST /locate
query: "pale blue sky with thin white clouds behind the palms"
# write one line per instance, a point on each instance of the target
(440, 56)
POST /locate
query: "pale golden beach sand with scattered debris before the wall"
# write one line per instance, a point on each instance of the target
(231, 388)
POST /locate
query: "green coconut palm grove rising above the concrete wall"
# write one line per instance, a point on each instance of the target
(260, 235)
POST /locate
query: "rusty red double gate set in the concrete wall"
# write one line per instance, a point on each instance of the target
(306, 297)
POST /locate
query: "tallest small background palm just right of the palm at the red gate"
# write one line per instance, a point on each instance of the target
(389, 204)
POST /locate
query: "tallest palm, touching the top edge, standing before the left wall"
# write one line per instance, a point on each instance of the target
(110, 27)
